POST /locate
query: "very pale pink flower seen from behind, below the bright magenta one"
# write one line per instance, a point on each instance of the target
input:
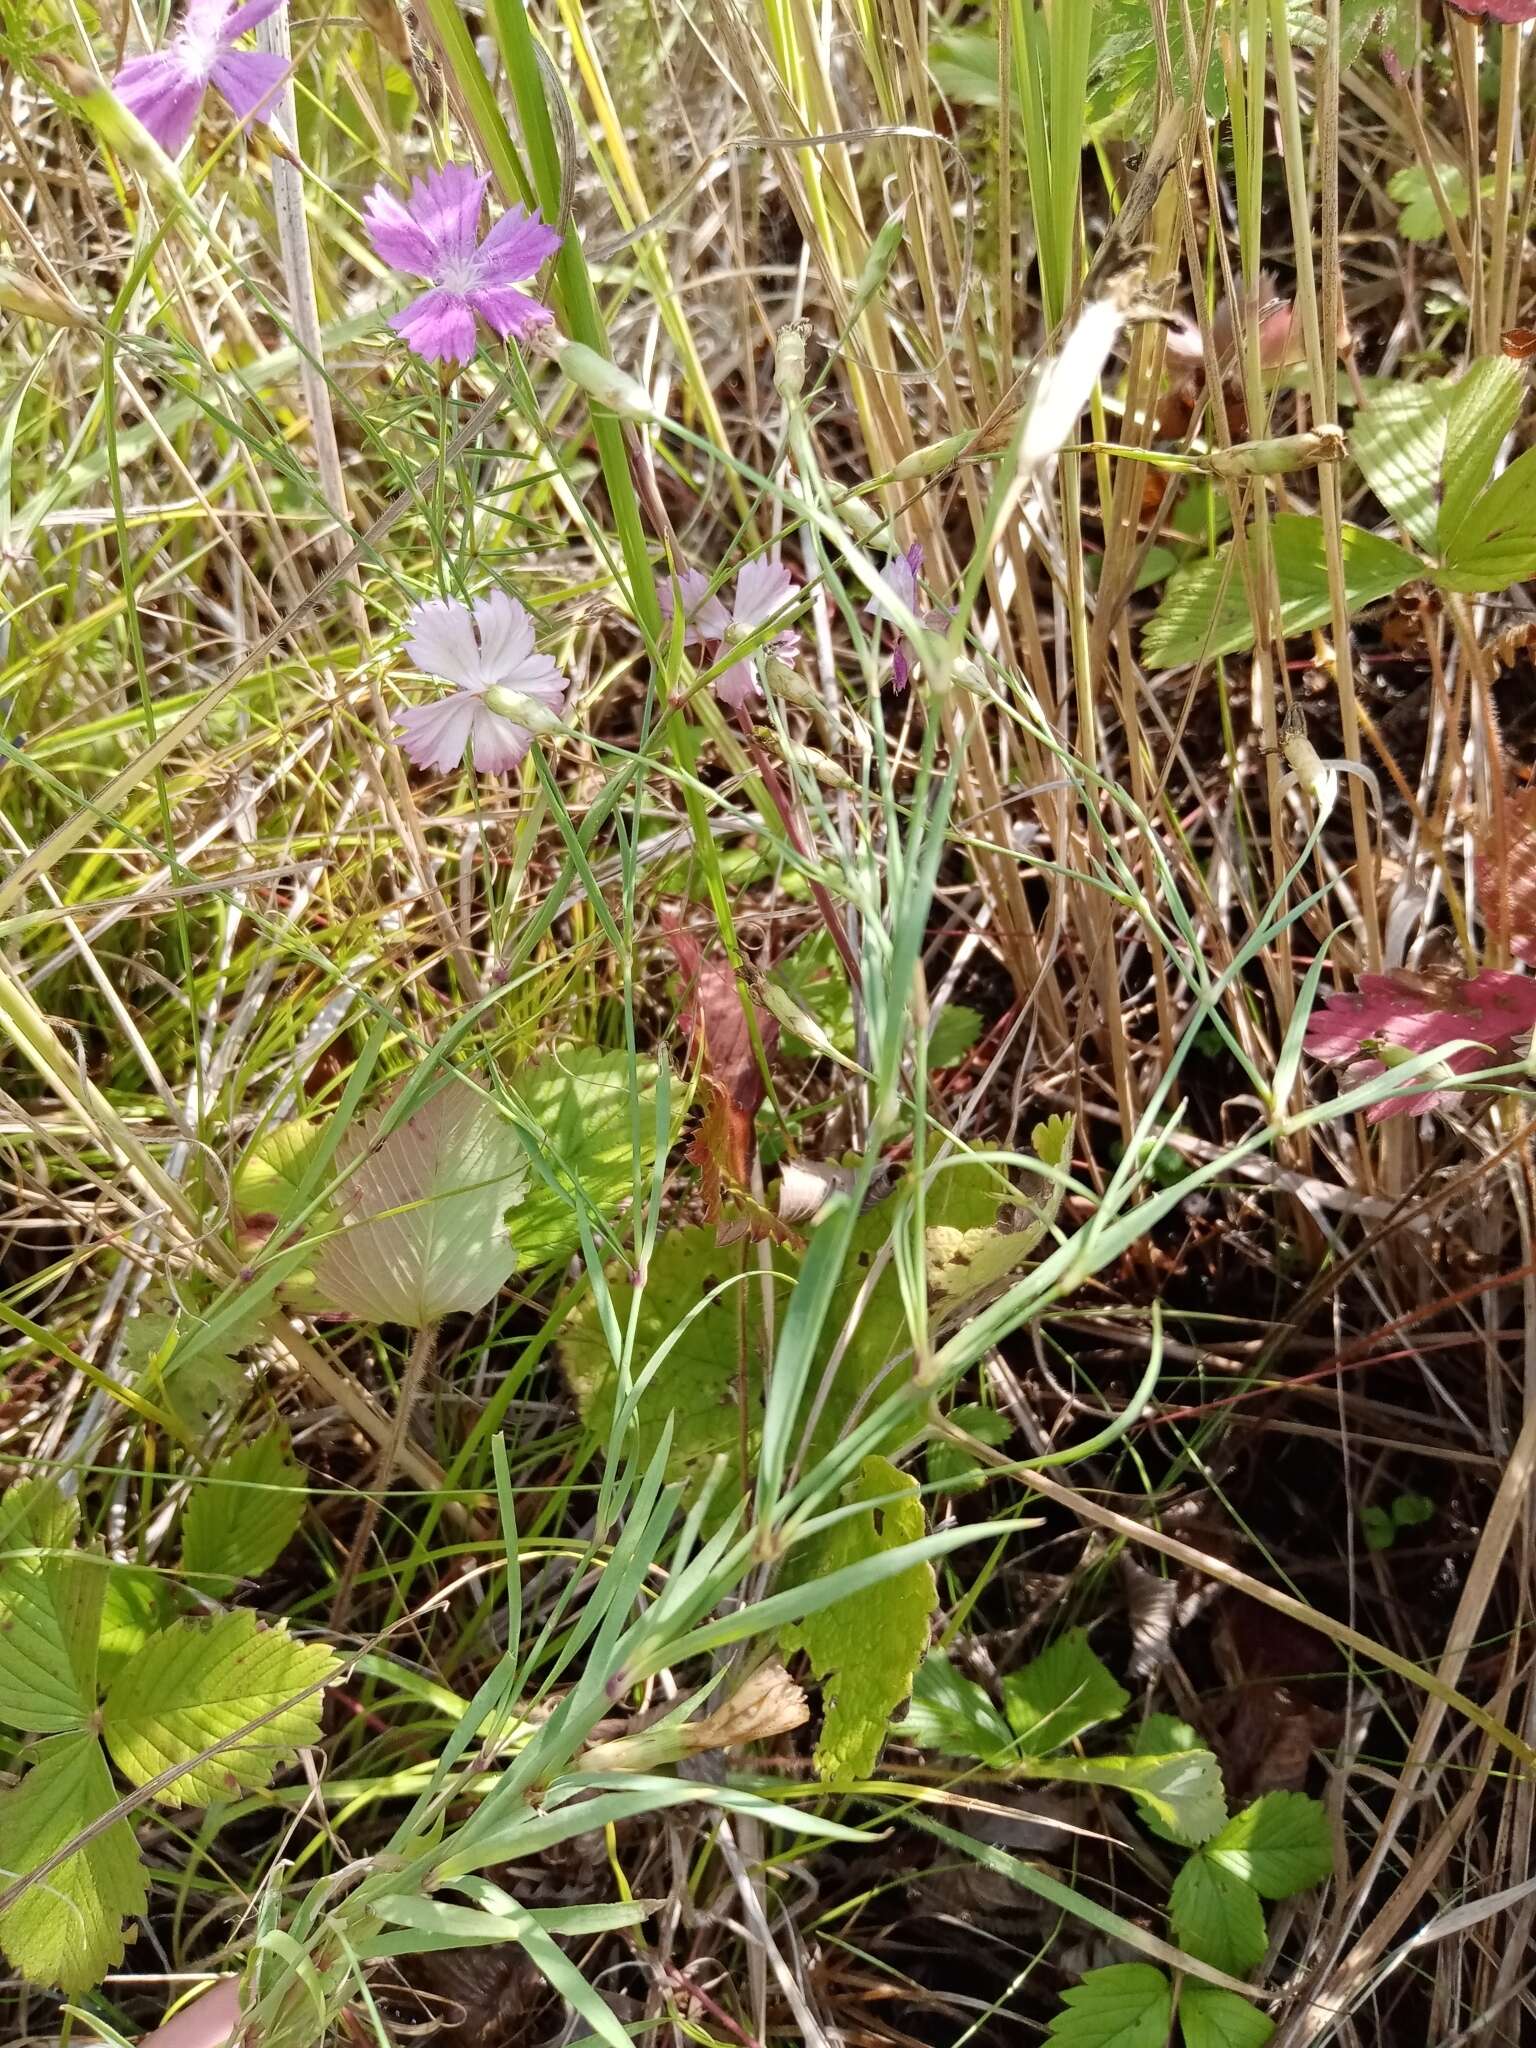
(505, 687)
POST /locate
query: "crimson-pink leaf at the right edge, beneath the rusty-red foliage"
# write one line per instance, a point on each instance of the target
(1420, 1013)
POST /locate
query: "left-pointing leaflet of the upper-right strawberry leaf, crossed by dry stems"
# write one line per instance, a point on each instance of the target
(1205, 609)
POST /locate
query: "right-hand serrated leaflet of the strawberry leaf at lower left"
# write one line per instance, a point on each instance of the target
(200, 1682)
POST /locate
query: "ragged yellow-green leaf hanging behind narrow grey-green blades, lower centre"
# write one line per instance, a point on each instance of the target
(865, 1650)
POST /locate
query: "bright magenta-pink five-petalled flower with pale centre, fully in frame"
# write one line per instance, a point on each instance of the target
(433, 234)
